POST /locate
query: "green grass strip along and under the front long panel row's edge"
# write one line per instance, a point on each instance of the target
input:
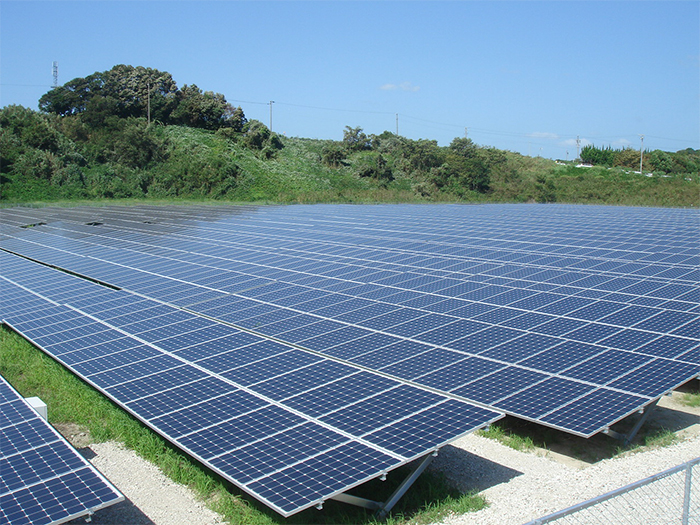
(70, 400)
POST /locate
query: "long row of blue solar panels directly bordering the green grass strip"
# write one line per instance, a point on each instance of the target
(239, 402)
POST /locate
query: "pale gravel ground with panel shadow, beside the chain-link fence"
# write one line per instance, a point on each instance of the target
(522, 486)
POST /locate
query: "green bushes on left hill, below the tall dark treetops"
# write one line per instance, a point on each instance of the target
(45, 156)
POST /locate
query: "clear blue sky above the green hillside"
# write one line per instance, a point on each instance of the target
(525, 76)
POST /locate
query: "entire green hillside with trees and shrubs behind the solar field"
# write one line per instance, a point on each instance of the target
(130, 132)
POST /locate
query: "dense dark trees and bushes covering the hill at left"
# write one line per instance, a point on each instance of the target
(109, 136)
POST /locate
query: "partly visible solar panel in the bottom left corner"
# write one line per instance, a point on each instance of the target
(43, 480)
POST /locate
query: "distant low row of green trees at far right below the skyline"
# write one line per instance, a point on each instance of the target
(661, 162)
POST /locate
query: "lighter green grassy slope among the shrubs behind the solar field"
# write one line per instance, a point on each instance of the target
(296, 174)
